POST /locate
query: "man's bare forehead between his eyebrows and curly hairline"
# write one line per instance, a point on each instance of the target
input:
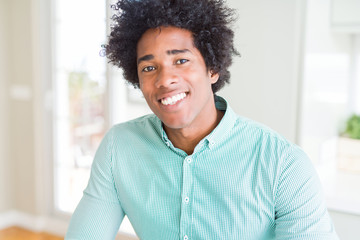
(164, 39)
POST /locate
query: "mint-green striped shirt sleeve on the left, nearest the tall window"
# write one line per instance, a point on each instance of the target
(99, 213)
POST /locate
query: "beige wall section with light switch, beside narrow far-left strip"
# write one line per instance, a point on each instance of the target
(20, 110)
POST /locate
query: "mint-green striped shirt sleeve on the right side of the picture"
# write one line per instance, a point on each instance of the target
(300, 210)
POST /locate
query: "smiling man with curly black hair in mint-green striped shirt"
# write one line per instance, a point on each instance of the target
(194, 169)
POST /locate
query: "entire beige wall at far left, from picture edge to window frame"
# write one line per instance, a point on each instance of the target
(17, 154)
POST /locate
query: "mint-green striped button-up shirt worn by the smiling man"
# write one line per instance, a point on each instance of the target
(243, 181)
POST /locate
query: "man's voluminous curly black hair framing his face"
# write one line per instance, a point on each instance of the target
(208, 20)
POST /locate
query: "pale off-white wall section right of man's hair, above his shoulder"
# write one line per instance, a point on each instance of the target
(265, 79)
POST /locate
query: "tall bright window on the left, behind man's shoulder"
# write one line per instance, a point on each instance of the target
(89, 95)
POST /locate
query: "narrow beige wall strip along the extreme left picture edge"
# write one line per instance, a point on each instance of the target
(5, 200)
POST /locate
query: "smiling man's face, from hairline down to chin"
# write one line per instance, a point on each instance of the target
(174, 79)
